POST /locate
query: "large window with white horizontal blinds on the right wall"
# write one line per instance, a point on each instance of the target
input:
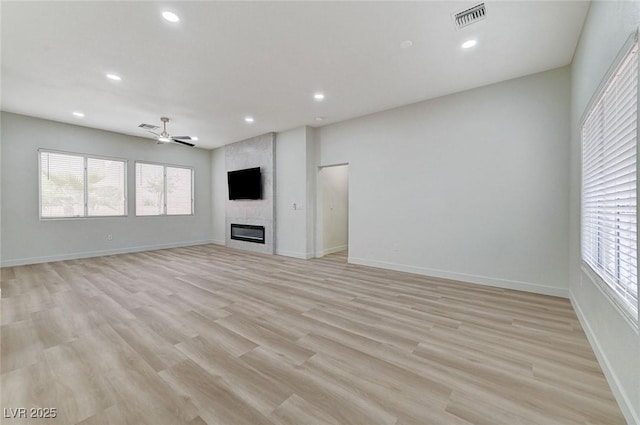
(609, 188)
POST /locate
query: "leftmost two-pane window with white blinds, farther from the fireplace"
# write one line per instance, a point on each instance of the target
(75, 185)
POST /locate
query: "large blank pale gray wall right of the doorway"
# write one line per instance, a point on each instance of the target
(471, 186)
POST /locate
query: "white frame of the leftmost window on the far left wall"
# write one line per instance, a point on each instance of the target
(85, 158)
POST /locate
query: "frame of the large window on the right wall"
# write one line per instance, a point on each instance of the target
(622, 305)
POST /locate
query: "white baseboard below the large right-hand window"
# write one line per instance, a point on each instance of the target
(632, 417)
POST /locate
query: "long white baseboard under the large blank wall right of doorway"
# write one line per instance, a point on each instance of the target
(481, 280)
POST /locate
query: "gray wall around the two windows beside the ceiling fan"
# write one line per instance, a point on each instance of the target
(27, 239)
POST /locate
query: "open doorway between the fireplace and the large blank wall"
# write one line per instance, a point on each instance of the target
(332, 225)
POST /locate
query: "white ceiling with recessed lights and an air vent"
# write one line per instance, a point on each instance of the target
(226, 60)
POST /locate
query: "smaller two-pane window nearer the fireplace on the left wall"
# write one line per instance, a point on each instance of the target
(163, 190)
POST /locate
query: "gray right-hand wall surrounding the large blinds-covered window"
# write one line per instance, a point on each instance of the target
(615, 341)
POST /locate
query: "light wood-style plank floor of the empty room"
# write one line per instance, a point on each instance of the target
(210, 335)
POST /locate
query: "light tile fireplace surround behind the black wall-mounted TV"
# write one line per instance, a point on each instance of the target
(253, 214)
